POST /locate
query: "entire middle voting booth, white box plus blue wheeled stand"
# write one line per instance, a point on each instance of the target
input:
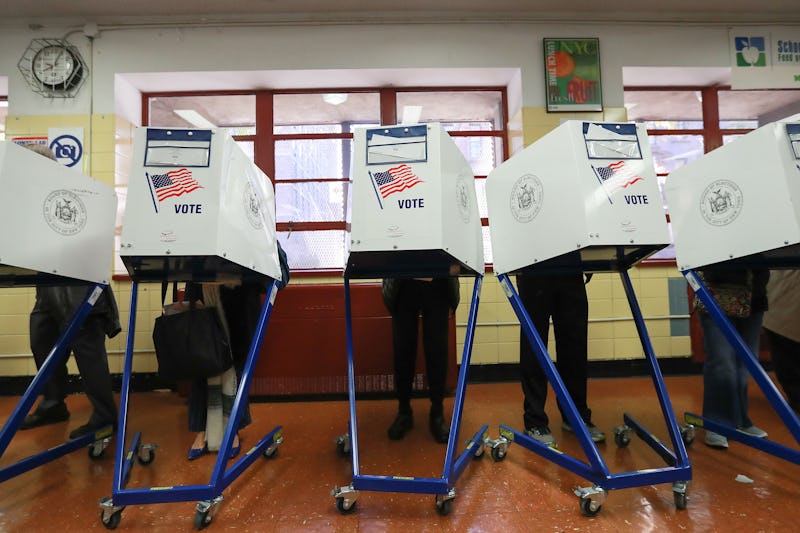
(414, 213)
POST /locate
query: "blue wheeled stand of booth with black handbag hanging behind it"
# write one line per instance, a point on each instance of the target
(209, 496)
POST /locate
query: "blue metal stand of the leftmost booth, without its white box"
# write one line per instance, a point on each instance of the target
(96, 441)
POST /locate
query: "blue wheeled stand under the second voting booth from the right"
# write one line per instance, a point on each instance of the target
(678, 470)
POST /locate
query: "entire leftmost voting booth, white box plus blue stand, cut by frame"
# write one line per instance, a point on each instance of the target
(58, 229)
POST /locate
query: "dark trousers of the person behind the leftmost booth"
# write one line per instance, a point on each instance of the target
(89, 349)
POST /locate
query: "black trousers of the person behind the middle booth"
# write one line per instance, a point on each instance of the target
(429, 298)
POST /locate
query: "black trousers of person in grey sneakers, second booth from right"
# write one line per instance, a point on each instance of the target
(562, 297)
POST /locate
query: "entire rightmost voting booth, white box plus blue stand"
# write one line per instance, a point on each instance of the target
(738, 207)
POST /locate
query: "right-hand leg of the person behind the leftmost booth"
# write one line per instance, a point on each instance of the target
(92, 360)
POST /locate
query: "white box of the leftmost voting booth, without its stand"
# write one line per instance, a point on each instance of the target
(58, 223)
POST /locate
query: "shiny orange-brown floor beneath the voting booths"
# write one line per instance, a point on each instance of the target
(522, 493)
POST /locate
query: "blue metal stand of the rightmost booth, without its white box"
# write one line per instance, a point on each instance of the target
(759, 375)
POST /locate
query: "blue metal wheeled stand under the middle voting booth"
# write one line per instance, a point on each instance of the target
(442, 487)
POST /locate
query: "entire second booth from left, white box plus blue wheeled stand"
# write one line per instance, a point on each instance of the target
(198, 209)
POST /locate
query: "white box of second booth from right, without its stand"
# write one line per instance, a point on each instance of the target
(586, 187)
